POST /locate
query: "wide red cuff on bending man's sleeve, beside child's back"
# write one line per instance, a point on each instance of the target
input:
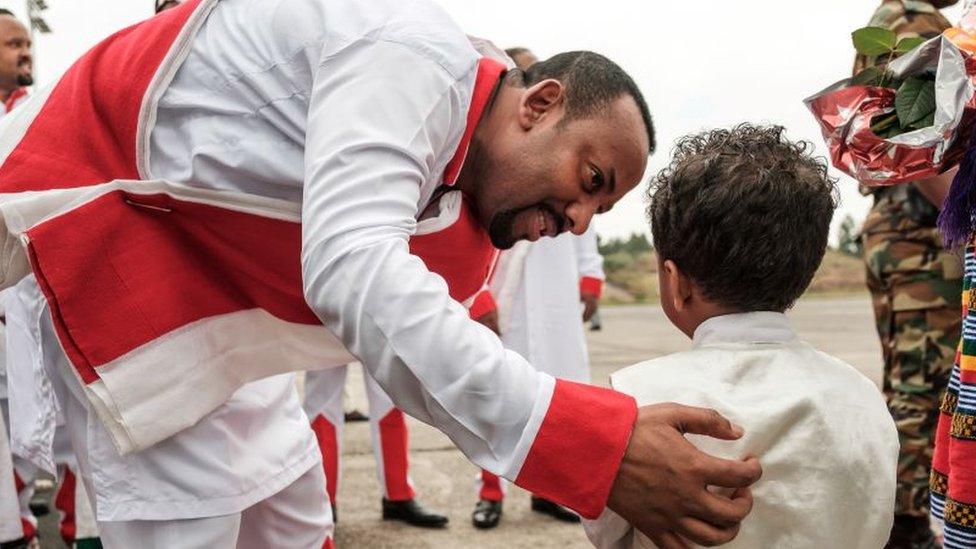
(579, 447)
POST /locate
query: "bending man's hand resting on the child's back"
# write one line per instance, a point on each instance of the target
(662, 485)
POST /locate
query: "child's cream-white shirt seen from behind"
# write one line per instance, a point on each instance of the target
(822, 432)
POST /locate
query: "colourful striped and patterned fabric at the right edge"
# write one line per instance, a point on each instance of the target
(953, 479)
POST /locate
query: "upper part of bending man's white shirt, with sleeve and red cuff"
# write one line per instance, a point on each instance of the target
(356, 110)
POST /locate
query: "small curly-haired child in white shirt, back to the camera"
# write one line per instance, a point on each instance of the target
(740, 222)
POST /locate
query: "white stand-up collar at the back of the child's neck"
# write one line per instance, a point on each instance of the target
(756, 327)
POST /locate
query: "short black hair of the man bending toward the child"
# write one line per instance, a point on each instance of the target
(592, 82)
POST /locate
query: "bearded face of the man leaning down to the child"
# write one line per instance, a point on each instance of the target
(546, 178)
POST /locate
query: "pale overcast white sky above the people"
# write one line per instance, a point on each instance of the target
(701, 64)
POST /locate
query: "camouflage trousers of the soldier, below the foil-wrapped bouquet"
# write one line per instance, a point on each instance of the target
(915, 287)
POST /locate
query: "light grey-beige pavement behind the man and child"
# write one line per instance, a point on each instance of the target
(445, 480)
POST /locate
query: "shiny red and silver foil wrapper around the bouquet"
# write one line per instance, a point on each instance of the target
(844, 113)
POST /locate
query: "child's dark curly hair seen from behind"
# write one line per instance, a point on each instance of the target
(745, 213)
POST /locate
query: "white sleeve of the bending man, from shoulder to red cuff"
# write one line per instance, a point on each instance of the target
(380, 116)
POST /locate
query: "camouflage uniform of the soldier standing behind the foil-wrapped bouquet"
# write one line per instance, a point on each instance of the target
(915, 286)
